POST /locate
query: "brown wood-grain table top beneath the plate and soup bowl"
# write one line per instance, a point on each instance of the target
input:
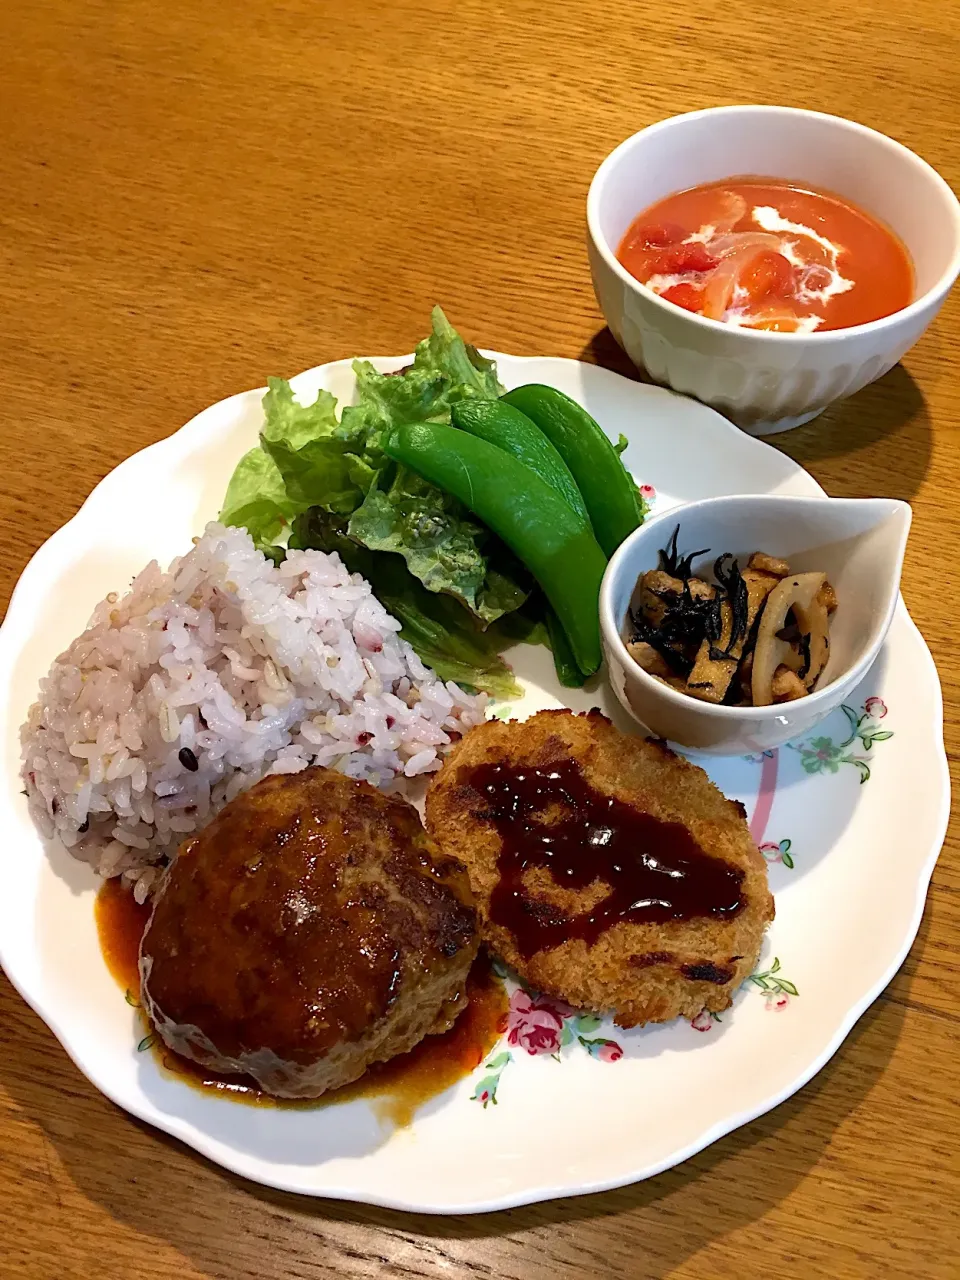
(195, 195)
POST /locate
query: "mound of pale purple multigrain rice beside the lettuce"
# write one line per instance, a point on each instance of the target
(204, 679)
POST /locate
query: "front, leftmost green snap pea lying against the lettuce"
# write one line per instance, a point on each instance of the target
(555, 543)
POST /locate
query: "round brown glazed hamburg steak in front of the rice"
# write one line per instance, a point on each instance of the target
(309, 931)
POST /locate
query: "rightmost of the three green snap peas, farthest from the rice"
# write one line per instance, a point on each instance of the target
(609, 490)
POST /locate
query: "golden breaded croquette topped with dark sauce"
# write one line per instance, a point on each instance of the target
(579, 815)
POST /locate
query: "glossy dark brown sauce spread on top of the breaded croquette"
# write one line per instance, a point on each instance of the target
(552, 819)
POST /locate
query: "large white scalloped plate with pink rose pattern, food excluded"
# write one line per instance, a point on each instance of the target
(847, 913)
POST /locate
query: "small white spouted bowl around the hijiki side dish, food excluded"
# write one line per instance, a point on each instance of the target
(860, 545)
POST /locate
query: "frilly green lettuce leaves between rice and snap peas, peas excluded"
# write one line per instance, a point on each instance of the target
(449, 577)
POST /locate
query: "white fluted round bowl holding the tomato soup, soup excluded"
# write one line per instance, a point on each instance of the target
(769, 382)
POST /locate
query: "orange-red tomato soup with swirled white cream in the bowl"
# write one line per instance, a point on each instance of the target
(764, 254)
